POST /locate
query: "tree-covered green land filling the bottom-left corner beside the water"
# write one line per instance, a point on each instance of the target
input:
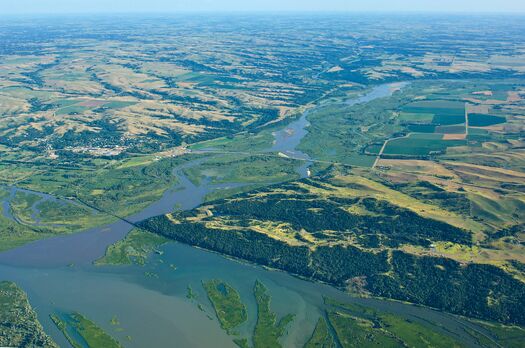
(19, 326)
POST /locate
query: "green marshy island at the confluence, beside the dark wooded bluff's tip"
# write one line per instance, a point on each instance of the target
(133, 249)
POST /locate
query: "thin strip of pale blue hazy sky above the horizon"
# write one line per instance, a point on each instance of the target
(165, 6)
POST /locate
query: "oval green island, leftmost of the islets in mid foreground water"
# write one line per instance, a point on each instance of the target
(227, 303)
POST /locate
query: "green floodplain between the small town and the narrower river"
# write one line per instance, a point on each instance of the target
(120, 188)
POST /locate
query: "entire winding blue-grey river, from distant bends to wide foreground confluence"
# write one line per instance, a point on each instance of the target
(150, 301)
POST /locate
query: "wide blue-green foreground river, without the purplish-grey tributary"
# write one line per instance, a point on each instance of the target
(156, 310)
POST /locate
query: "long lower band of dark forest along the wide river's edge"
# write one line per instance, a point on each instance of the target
(482, 291)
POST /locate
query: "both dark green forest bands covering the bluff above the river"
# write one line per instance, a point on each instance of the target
(481, 291)
